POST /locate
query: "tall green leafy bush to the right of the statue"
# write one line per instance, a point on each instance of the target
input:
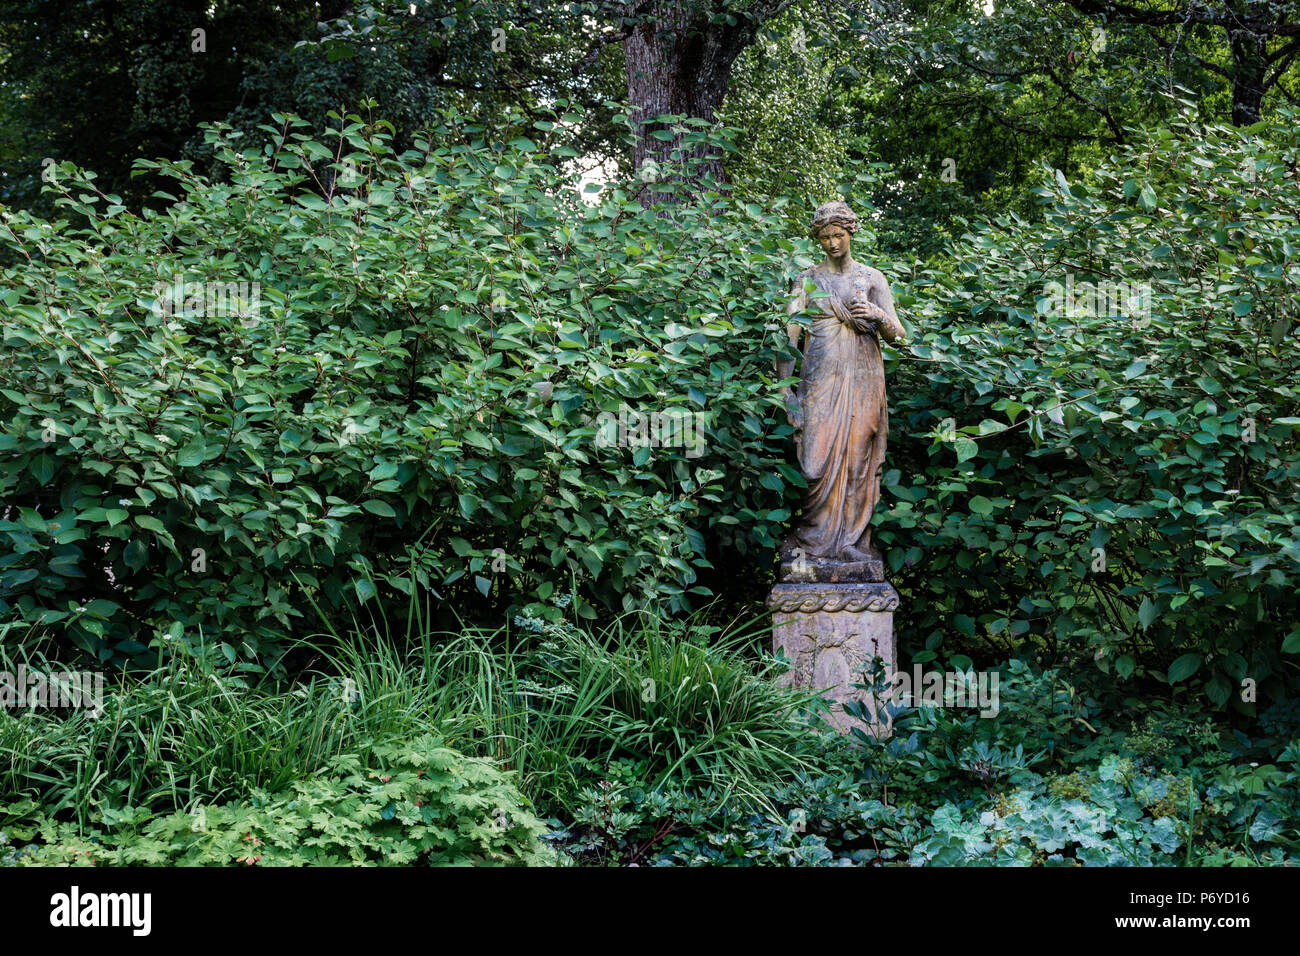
(1113, 481)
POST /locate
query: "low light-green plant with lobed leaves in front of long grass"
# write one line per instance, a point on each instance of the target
(411, 803)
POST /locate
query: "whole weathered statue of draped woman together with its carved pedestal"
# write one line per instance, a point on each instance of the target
(833, 608)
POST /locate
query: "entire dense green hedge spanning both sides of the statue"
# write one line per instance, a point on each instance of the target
(417, 406)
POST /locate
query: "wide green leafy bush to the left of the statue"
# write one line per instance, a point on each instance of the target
(415, 406)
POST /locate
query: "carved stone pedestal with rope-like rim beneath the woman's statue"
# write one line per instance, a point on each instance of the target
(831, 630)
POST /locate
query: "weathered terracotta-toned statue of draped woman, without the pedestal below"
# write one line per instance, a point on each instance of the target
(840, 405)
